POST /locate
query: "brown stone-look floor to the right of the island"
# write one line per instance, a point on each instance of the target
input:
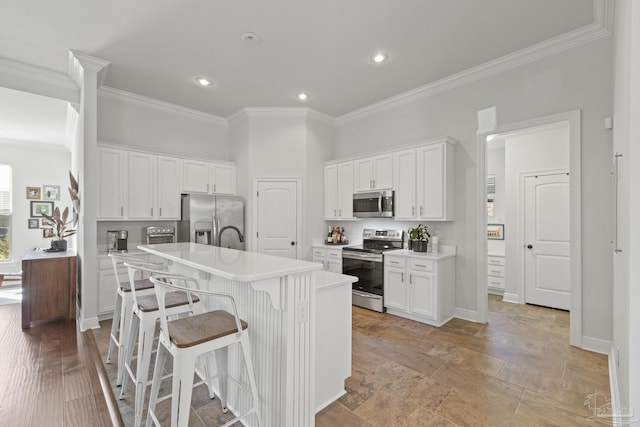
(517, 370)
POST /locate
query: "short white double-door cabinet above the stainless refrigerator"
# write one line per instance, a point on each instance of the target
(210, 178)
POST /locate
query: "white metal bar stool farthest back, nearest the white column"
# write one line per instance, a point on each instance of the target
(123, 306)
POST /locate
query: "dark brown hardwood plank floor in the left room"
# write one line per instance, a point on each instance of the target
(48, 375)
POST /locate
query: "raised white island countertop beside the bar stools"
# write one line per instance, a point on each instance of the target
(230, 263)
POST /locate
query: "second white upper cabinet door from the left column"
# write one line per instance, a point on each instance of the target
(142, 185)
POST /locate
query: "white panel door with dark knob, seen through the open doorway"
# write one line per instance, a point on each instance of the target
(547, 254)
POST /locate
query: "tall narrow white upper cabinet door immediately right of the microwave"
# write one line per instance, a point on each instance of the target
(404, 167)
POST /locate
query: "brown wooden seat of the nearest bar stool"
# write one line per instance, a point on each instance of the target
(203, 327)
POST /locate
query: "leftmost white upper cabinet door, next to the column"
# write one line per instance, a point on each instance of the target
(111, 183)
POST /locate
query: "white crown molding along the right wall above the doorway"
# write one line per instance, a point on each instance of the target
(600, 28)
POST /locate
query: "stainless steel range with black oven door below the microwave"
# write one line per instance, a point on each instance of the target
(366, 263)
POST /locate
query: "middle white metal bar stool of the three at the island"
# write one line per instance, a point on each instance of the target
(145, 314)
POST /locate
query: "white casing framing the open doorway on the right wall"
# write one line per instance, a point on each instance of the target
(573, 118)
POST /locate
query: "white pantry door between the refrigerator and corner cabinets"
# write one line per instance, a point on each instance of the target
(277, 218)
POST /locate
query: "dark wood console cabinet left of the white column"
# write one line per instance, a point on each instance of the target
(48, 286)
